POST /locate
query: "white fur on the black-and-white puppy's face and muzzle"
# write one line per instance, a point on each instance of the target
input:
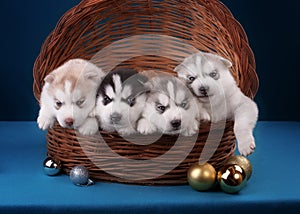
(119, 95)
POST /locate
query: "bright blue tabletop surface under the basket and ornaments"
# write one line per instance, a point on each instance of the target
(274, 186)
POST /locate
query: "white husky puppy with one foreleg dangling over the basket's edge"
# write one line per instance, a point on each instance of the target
(209, 78)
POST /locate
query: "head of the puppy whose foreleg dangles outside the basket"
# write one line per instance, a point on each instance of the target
(205, 74)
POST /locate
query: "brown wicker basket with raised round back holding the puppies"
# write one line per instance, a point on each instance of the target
(97, 25)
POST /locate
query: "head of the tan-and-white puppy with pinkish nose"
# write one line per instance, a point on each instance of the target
(72, 88)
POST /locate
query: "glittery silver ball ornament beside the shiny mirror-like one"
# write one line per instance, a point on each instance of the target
(79, 175)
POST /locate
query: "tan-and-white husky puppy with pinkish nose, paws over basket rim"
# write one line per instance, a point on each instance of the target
(69, 96)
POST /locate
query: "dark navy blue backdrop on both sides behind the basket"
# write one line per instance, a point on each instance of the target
(272, 28)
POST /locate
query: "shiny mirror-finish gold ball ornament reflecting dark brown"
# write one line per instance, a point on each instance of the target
(232, 178)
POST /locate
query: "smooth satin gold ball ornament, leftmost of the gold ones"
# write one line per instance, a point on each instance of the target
(201, 177)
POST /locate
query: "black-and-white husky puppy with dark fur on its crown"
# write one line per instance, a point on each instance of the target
(121, 100)
